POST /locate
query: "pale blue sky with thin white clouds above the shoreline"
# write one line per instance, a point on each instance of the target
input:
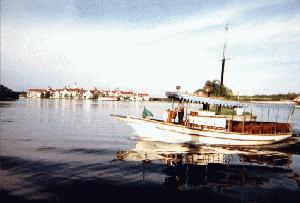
(152, 45)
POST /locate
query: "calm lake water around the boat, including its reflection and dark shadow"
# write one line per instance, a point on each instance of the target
(59, 150)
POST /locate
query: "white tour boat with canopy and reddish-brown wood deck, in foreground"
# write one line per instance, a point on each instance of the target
(204, 127)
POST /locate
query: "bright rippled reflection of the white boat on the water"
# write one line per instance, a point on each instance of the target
(174, 154)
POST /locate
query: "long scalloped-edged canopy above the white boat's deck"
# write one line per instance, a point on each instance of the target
(228, 103)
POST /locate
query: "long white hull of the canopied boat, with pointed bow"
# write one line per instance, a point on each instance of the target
(170, 133)
